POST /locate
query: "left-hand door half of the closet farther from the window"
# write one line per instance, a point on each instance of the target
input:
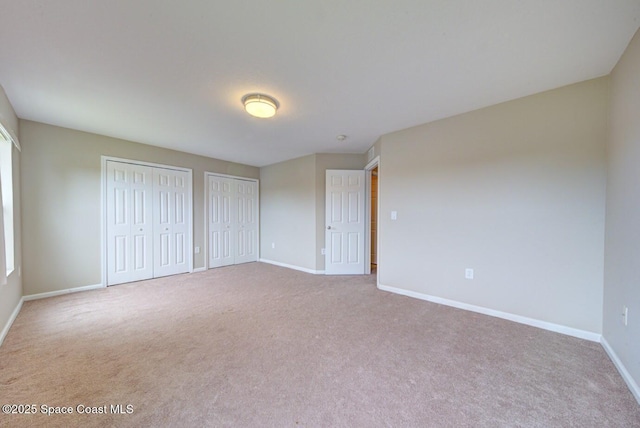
(220, 221)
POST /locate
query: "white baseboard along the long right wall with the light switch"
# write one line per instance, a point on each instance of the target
(570, 331)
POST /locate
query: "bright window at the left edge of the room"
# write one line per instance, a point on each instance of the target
(6, 190)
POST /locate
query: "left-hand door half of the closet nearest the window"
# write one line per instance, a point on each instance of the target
(129, 223)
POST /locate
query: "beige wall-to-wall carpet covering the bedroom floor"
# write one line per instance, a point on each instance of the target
(258, 345)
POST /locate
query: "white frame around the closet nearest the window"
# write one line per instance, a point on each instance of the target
(103, 207)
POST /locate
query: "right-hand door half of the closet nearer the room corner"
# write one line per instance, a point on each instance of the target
(246, 227)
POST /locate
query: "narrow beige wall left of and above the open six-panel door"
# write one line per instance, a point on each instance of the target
(324, 162)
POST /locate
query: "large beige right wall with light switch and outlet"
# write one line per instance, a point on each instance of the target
(515, 191)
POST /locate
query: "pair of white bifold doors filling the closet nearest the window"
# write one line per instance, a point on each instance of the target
(148, 216)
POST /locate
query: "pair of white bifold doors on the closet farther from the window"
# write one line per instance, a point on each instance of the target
(233, 222)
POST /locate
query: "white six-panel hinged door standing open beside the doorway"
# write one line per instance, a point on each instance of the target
(345, 222)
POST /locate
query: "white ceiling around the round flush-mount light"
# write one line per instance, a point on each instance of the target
(171, 73)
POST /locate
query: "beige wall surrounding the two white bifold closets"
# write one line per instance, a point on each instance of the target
(61, 176)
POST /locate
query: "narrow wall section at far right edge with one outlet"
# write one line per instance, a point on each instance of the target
(622, 249)
